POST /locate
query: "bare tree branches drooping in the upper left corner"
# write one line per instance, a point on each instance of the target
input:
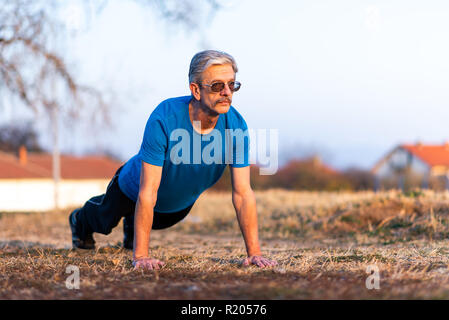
(29, 65)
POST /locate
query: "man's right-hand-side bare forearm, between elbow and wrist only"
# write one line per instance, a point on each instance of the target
(245, 207)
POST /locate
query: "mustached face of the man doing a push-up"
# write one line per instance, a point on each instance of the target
(219, 102)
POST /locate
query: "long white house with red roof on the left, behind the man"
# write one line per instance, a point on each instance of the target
(26, 180)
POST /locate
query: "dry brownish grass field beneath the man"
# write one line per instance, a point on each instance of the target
(324, 243)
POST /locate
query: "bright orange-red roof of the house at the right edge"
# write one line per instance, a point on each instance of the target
(433, 155)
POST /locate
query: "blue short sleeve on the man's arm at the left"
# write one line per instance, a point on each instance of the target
(155, 143)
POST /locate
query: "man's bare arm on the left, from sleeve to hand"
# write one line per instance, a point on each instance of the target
(150, 178)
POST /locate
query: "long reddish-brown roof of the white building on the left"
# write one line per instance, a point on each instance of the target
(72, 167)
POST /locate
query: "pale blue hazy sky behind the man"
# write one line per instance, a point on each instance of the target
(348, 80)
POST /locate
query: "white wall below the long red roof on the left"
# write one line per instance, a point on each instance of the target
(38, 194)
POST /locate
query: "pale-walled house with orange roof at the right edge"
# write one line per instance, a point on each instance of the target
(418, 165)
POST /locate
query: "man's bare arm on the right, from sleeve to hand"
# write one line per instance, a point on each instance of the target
(244, 202)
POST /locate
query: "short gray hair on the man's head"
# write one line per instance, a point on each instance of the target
(204, 59)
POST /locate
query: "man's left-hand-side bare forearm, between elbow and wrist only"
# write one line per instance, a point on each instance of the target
(143, 223)
